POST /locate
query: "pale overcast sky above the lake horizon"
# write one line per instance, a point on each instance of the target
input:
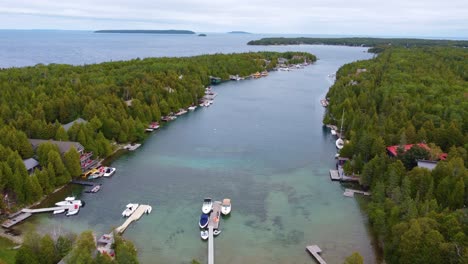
(350, 17)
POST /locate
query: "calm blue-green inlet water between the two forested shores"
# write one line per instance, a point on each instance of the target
(262, 145)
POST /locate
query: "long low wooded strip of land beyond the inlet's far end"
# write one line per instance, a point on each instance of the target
(375, 43)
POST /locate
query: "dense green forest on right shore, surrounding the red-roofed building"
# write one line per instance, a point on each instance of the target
(403, 97)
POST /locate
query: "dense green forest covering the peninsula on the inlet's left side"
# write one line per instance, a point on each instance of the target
(118, 99)
